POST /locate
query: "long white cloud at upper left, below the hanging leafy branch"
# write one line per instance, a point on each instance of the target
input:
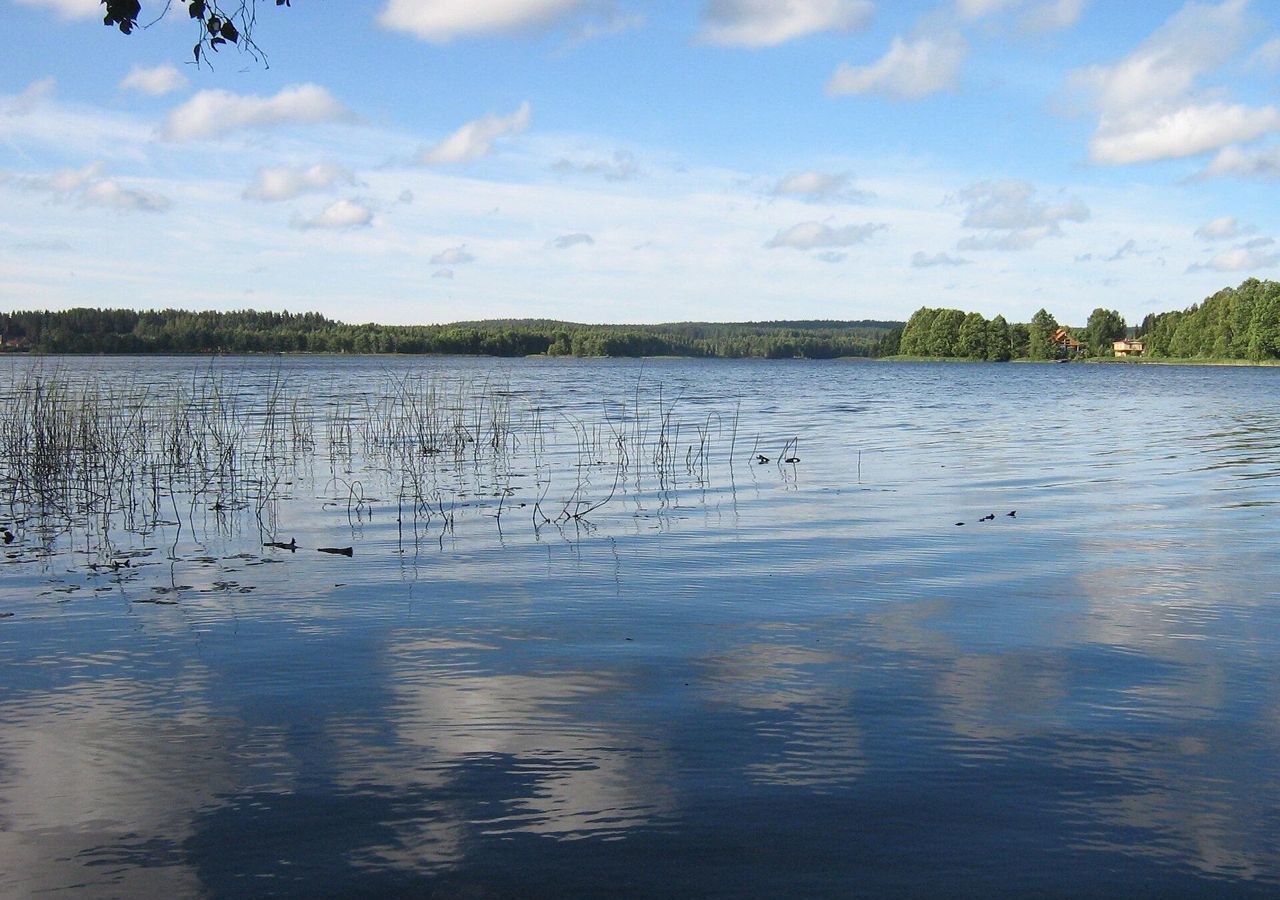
(217, 113)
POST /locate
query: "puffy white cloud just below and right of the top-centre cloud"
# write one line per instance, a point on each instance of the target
(909, 71)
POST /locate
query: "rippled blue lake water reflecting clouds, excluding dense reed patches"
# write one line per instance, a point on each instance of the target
(616, 659)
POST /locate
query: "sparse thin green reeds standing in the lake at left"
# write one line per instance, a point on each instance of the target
(95, 455)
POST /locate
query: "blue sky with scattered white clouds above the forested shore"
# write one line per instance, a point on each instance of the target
(414, 162)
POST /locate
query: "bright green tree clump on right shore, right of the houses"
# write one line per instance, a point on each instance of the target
(1235, 325)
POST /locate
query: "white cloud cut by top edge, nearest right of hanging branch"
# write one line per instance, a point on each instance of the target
(442, 21)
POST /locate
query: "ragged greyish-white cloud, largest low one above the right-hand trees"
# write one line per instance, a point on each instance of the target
(1012, 217)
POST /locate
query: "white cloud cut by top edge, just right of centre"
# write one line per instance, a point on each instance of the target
(766, 24)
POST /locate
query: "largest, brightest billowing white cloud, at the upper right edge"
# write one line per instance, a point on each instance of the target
(1151, 106)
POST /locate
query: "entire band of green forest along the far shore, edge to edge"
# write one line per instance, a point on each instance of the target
(1235, 325)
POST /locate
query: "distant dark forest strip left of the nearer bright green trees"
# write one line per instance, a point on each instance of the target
(88, 331)
